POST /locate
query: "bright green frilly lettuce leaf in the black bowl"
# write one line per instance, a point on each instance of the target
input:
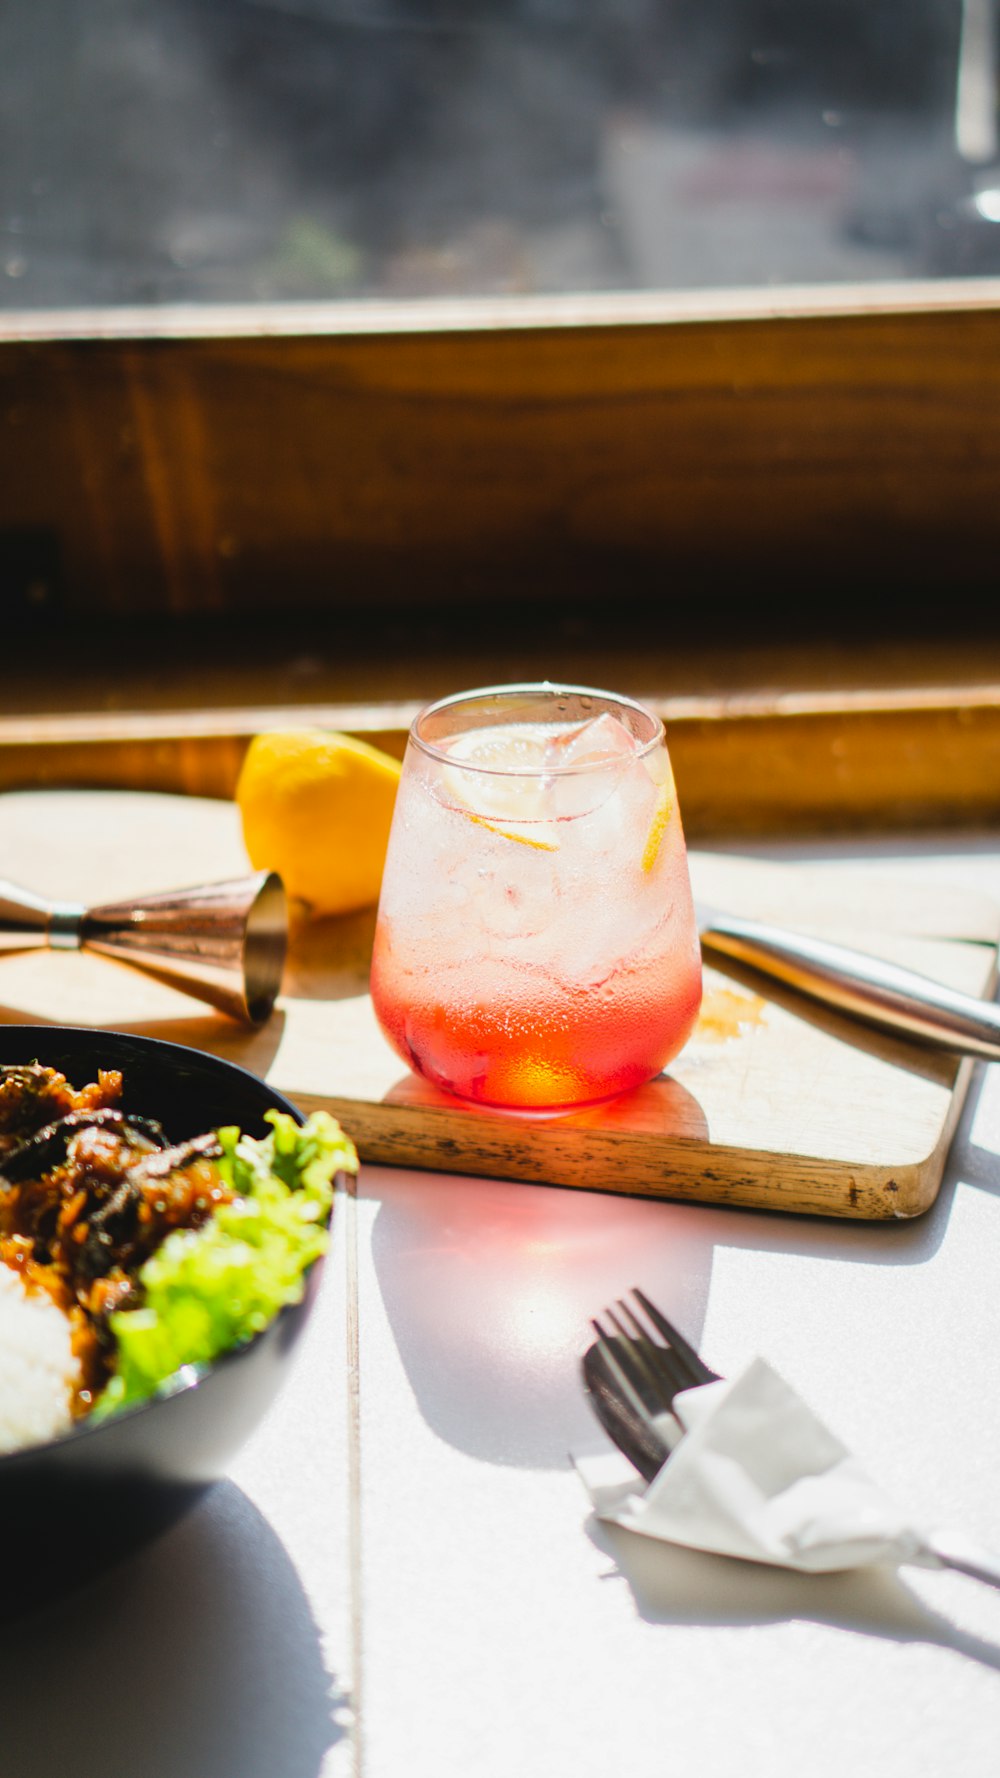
(209, 1290)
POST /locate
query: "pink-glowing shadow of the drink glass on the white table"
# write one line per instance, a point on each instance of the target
(488, 1288)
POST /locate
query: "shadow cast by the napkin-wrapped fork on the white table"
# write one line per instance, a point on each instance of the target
(673, 1585)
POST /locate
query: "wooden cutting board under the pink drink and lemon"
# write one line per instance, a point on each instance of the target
(773, 1103)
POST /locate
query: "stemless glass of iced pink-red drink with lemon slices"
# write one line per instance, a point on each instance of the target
(536, 943)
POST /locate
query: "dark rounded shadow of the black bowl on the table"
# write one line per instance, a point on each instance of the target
(197, 1658)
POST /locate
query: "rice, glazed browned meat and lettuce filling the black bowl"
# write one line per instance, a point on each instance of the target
(127, 1260)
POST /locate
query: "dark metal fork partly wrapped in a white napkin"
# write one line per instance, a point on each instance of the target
(641, 1363)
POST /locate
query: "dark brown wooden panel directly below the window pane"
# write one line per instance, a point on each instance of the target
(843, 456)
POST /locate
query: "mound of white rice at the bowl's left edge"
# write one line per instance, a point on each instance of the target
(36, 1365)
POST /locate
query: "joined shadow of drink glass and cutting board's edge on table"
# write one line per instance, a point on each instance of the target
(490, 1286)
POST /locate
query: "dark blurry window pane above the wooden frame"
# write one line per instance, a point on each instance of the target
(239, 150)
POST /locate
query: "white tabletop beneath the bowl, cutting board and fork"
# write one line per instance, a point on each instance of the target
(403, 1578)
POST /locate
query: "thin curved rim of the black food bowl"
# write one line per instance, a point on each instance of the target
(190, 1377)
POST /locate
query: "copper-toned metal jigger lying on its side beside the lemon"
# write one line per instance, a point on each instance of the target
(225, 943)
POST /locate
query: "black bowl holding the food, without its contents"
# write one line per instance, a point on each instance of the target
(102, 1489)
